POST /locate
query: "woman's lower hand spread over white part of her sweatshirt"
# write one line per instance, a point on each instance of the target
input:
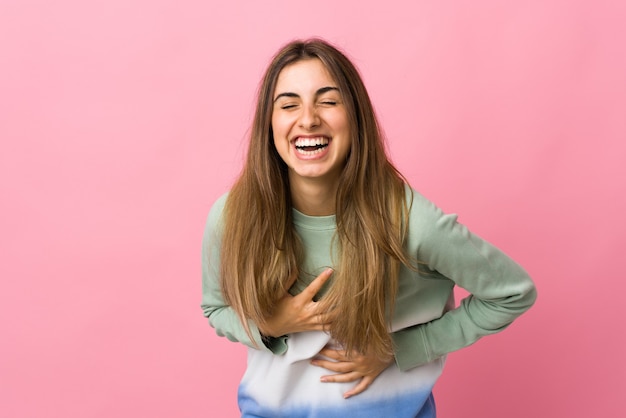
(350, 368)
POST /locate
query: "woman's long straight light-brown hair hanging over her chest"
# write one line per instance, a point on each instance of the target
(260, 250)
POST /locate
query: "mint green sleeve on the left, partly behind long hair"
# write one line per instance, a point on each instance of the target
(221, 316)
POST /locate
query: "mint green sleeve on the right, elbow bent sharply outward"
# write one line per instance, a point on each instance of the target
(500, 290)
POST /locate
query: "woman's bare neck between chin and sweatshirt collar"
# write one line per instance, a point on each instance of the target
(313, 198)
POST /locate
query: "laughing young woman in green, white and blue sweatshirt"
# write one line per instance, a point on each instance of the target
(335, 273)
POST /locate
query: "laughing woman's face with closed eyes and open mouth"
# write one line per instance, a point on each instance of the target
(310, 123)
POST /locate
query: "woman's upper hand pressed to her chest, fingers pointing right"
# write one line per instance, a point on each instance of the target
(299, 313)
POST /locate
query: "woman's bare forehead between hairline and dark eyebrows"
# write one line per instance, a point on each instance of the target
(304, 76)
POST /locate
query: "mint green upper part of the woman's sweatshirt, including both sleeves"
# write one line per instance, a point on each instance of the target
(426, 325)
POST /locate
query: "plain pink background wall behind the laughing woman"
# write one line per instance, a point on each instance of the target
(122, 121)
